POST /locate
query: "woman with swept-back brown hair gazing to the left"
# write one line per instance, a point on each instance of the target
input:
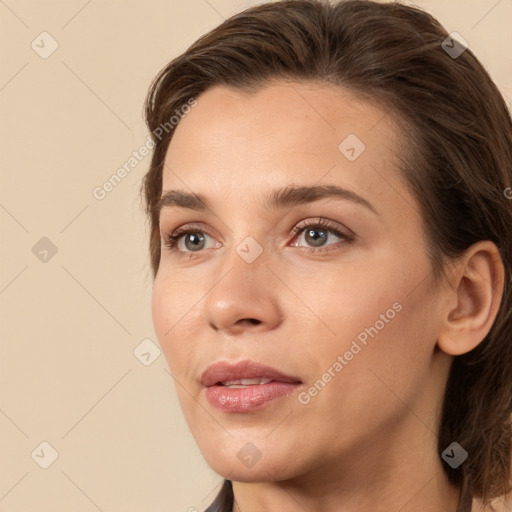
(331, 245)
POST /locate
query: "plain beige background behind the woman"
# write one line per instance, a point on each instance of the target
(70, 324)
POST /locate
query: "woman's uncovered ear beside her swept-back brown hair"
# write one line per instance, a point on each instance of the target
(473, 300)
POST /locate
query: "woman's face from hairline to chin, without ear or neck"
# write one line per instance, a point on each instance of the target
(346, 309)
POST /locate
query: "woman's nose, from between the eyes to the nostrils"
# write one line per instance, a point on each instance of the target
(244, 298)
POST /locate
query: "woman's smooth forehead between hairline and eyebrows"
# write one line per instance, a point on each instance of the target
(238, 143)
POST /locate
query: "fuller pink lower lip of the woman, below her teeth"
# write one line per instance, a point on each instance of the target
(249, 398)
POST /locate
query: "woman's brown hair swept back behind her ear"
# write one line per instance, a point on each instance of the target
(456, 158)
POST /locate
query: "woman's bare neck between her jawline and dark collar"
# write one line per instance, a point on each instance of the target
(395, 473)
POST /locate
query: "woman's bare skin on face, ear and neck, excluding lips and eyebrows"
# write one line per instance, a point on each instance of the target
(367, 441)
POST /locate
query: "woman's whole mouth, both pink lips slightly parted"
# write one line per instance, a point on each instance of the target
(245, 386)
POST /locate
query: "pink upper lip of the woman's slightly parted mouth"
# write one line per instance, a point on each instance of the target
(222, 371)
